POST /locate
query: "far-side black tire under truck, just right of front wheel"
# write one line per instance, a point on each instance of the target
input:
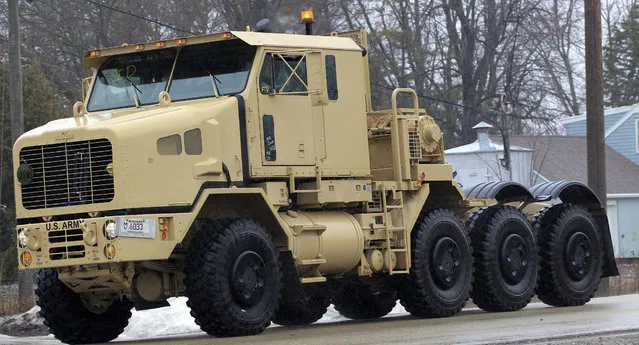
(309, 309)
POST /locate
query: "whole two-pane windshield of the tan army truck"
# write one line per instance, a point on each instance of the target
(203, 70)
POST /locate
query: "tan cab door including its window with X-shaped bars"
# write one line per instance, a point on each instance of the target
(286, 111)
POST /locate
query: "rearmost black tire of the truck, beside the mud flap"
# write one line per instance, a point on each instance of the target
(570, 255)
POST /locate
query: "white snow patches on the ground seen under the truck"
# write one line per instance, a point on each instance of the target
(162, 322)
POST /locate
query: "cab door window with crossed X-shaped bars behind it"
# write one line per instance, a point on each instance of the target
(284, 74)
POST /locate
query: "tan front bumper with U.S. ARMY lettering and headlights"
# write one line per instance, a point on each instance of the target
(87, 241)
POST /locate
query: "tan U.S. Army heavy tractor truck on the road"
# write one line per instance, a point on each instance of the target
(249, 172)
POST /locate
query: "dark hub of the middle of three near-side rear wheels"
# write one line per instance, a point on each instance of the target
(513, 258)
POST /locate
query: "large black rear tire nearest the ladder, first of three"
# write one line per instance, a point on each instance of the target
(441, 272)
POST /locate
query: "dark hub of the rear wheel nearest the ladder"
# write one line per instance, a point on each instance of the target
(445, 262)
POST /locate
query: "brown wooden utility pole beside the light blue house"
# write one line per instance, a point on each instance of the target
(594, 101)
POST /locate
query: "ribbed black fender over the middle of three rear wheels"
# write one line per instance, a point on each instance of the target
(503, 192)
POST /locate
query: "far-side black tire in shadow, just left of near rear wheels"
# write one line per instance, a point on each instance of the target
(358, 300)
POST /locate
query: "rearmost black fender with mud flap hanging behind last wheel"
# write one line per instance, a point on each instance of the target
(574, 192)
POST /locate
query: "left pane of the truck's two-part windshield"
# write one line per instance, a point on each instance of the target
(126, 80)
